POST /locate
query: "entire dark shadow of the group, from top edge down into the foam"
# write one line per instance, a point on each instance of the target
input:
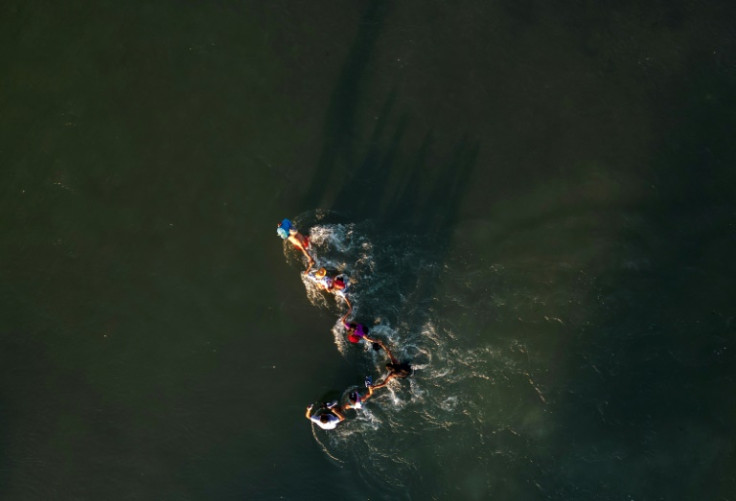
(383, 168)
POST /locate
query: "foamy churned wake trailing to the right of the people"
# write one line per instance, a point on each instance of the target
(395, 281)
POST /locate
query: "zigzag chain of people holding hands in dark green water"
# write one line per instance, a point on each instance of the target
(328, 415)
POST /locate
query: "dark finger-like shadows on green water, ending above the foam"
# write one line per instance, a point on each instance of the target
(380, 178)
